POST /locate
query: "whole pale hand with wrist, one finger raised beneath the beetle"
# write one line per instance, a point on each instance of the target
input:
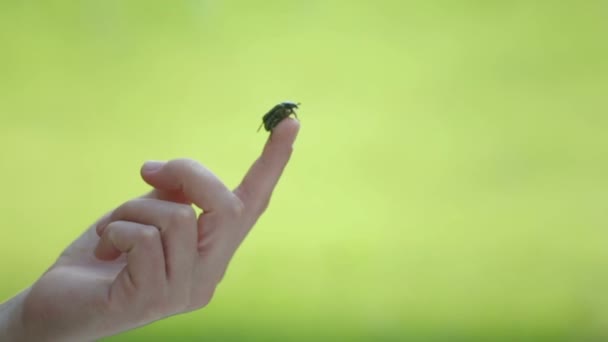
(151, 257)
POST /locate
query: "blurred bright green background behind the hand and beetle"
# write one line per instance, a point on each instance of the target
(450, 181)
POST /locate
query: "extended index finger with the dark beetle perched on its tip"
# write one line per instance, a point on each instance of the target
(256, 188)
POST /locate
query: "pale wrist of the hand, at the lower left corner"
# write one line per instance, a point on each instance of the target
(11, 322)
